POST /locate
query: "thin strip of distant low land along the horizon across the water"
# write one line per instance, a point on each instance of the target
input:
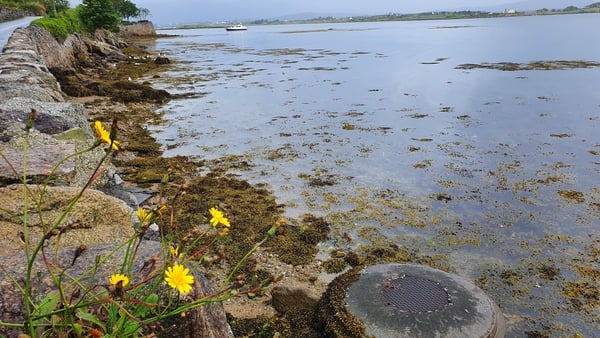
(434, 15)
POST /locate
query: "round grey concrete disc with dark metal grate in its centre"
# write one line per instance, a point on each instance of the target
(406, 300)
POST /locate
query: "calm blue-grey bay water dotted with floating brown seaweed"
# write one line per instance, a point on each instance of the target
(471, 141)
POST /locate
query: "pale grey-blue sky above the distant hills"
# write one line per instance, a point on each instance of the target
(169, 12)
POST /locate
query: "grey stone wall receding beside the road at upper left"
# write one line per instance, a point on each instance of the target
(27, 84)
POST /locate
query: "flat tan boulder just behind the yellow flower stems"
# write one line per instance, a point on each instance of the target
(96, 218)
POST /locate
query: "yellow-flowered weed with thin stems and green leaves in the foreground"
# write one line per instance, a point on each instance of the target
(130, 302)
